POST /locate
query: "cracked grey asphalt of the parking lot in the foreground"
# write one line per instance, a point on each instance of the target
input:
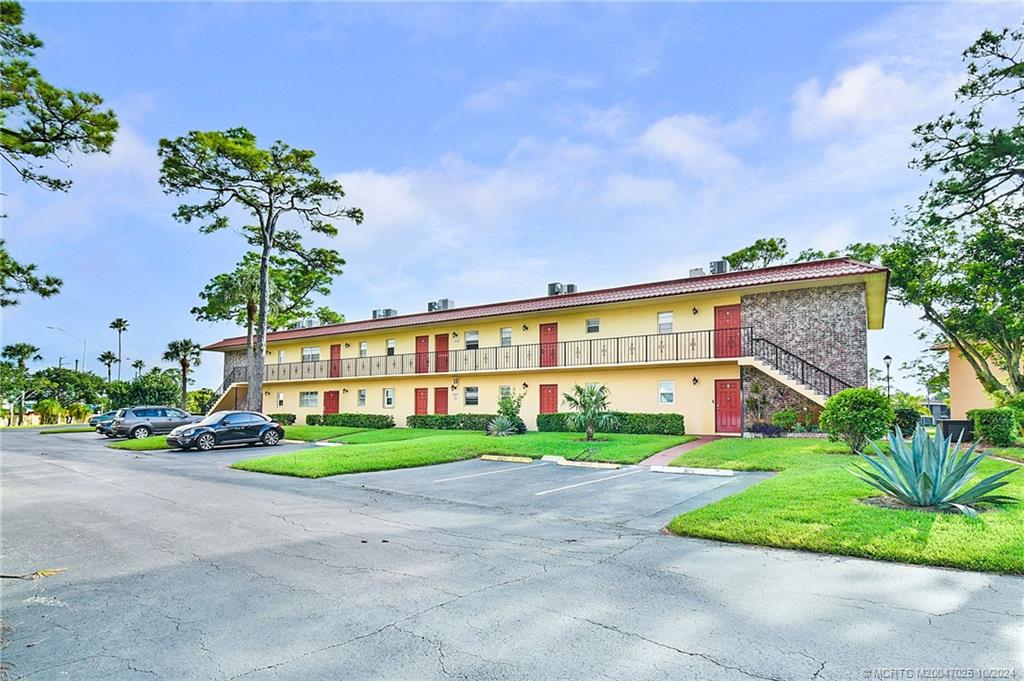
(180, 568)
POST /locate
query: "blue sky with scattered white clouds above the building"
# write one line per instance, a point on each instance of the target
(494, 148)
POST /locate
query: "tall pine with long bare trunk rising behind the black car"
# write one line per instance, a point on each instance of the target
(270, 185)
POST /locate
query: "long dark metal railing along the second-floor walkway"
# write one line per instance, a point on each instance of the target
(708, 345)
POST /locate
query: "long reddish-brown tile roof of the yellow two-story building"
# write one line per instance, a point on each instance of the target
(736, 280)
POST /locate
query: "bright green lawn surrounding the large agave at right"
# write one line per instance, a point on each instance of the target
(813, 504)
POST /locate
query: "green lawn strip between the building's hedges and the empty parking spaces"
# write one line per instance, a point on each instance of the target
(405, 451)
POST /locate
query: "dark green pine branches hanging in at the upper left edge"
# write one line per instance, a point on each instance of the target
(39, 123)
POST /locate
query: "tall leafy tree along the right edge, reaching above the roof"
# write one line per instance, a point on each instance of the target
(960, 256)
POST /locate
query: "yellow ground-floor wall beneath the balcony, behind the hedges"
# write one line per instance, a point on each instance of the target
(633, 390)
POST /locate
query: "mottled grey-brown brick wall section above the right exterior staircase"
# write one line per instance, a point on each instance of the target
(826, 326)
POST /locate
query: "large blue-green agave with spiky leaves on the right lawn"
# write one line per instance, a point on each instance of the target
(931, 473)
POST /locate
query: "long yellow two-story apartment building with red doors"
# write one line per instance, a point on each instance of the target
(693, 347)
